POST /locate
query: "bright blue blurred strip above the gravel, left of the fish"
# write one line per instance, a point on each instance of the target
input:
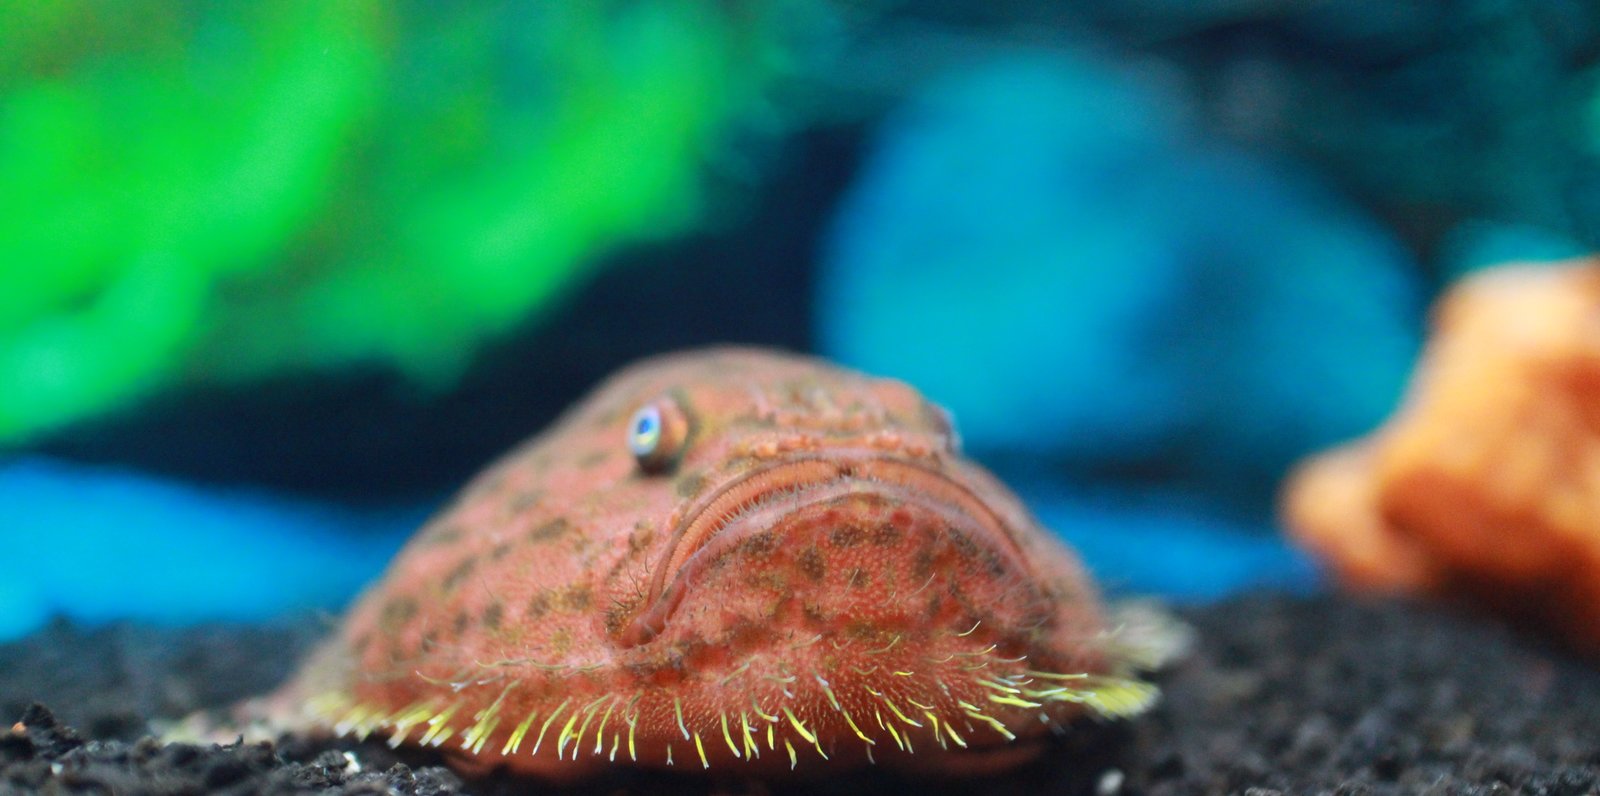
(98, 546)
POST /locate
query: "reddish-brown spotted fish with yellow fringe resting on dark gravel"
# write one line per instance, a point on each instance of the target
(817, 579)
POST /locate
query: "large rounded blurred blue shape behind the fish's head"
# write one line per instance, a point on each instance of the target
(1044, 247)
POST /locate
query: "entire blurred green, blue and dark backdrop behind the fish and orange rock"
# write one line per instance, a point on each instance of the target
(276, 277)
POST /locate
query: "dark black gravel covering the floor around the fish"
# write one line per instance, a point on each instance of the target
(1294, 696)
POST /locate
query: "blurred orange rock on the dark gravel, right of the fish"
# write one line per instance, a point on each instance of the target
(1487, 484)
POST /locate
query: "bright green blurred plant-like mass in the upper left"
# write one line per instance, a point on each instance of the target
(218, 191)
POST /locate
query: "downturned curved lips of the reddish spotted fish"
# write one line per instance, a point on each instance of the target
(767, 498)
